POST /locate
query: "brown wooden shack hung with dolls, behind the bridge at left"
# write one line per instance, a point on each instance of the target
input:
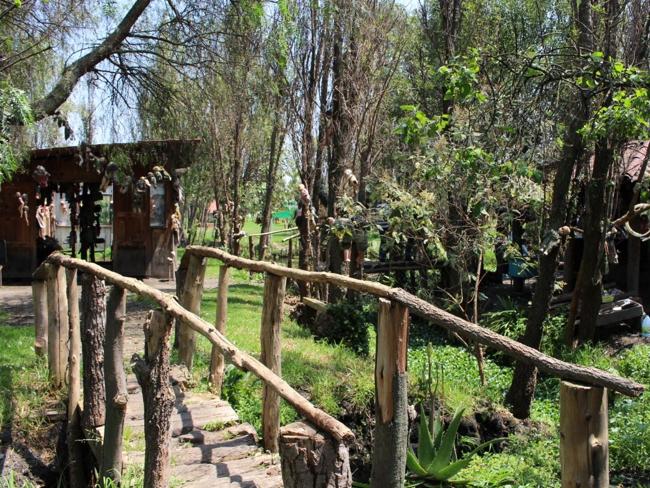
(144, 214)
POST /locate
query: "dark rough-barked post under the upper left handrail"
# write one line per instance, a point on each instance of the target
(93, 329)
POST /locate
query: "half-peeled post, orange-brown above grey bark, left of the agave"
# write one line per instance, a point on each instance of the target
(391, 402)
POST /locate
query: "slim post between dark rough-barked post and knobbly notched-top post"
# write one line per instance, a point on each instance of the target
(116, 394)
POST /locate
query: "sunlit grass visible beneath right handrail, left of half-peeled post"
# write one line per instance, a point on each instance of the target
(328, 375)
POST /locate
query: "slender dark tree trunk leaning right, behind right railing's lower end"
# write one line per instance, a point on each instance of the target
(524, 380)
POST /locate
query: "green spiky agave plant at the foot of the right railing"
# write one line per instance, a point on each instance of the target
(435, 461)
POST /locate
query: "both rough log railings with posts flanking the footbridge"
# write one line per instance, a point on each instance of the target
(584, 391)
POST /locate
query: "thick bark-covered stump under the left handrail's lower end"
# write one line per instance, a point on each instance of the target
(310, 458)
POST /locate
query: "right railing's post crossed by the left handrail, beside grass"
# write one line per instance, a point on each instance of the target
(272, 309)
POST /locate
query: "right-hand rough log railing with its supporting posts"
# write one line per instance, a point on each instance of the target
(581, 427)
